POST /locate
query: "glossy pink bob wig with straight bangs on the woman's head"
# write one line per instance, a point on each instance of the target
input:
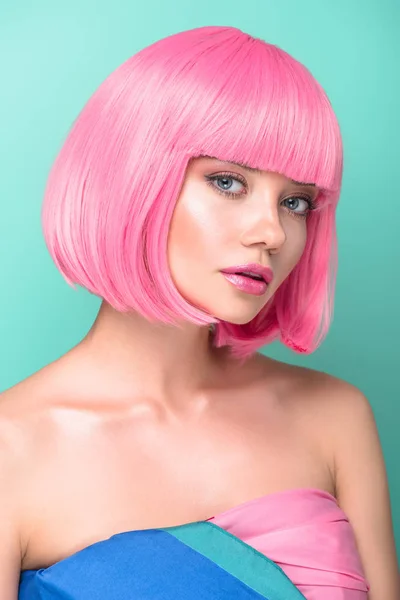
(110, 195)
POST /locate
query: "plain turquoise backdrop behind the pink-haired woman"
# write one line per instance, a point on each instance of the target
(54, 56)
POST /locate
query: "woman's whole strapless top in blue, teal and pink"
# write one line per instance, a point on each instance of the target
(300, 535)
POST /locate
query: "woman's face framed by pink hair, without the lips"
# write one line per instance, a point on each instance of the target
(228, 215)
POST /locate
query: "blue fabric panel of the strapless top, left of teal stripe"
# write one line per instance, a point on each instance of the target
(143, 565)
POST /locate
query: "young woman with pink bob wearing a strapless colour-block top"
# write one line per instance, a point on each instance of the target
(163, 456)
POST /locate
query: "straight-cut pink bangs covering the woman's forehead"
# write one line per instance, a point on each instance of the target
(267, 111)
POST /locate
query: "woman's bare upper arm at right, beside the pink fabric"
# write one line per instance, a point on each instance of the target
(362, 489)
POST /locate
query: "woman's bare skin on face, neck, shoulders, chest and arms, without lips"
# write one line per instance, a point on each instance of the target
(143, 425)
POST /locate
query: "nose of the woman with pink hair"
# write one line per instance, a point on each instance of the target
(265, 228)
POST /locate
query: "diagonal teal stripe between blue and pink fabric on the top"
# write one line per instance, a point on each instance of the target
(237, 558)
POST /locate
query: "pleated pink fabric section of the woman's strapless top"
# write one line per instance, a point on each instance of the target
(307, 534)
